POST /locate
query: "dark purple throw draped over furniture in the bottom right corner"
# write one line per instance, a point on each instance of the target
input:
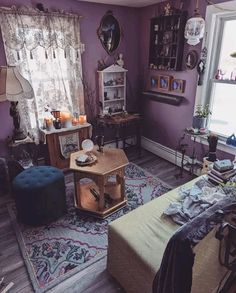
(178, 254)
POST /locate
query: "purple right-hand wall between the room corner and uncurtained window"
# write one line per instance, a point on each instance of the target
(165, 123)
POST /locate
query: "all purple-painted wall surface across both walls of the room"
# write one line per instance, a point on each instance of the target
(162, 123)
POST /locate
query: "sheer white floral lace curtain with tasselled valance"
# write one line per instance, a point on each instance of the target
(46, 48)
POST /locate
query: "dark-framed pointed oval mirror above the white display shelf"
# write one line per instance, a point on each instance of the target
(109, 32)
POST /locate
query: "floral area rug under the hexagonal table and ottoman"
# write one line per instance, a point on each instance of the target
(55, 252)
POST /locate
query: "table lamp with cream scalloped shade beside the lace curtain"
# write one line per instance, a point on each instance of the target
(14, 87)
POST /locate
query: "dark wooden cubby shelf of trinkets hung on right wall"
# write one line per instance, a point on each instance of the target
(167, 41)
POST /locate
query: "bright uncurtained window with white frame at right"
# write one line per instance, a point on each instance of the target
(220, 76)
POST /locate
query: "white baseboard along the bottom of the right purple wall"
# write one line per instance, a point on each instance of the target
(173, 156)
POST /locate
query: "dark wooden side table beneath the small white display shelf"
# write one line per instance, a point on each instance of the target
(120, 123)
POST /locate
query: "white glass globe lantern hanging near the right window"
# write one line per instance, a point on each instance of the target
(195, 28)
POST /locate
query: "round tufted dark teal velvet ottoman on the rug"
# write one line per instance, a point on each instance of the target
(40, 195)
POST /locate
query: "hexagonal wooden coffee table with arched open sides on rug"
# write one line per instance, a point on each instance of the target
(106, 192)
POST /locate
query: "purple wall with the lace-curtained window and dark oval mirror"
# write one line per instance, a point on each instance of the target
(92, 14)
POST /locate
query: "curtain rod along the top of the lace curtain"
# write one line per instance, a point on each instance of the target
(35, 12)
